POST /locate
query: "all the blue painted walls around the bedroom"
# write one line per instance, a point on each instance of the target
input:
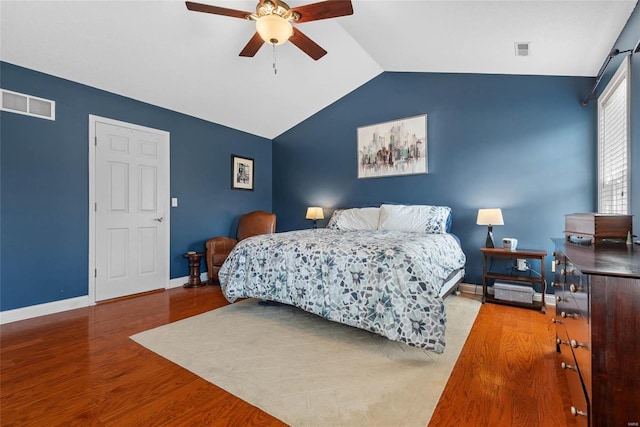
(522, 143)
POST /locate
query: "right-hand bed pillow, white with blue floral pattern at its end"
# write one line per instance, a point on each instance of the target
(414, 218)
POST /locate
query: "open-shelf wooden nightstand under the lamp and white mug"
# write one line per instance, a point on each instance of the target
(514, 278)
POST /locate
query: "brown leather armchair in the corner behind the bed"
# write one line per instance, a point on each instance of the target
(218, 248)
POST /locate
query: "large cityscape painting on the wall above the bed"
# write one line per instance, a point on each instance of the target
(398, 147)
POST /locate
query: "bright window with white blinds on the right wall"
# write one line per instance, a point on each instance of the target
(613, 144)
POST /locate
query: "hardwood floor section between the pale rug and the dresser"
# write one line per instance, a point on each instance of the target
(507, 374)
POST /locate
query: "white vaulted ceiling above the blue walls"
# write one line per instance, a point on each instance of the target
(161, 53)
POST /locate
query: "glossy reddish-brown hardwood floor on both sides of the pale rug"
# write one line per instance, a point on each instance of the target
(80, 368)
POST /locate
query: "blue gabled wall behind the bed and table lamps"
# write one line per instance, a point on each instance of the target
(521, 143)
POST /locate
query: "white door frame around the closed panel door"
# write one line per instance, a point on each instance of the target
(92, 197)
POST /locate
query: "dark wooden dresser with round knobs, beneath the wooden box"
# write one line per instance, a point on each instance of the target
(597, 290)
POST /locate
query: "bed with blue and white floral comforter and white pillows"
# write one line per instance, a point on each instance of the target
(385, 270)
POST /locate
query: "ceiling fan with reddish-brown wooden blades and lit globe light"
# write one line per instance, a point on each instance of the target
(274, 19)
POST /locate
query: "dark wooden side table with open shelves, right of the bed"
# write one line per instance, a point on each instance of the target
(523, 279)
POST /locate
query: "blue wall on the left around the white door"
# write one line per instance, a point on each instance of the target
(44, 216)
